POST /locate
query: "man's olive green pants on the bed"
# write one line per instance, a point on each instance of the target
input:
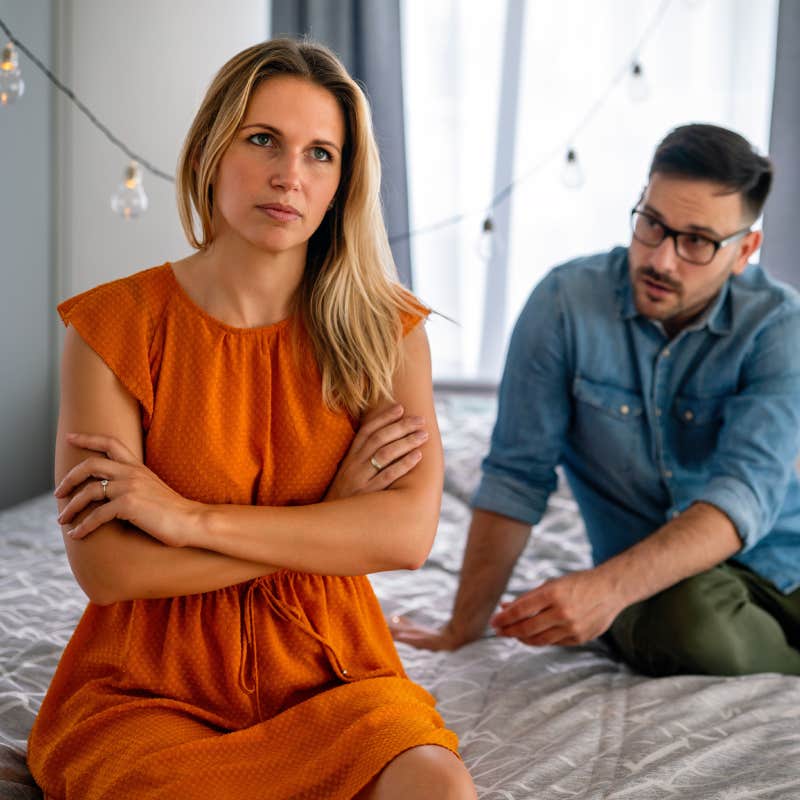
(727, 621)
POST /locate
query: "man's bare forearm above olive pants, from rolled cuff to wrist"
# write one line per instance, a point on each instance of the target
(699, 539)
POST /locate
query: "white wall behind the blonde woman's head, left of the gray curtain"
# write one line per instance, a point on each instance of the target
(142, 68)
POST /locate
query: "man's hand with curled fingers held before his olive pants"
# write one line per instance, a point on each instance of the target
(568, 610)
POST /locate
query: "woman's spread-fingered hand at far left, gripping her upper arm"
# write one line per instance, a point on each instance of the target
(125, 489)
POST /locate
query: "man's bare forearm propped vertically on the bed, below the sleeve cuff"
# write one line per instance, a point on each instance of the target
(493, 547)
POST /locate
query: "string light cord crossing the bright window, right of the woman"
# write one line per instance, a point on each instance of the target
(506, 191)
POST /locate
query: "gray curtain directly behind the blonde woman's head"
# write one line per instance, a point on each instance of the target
(365, 34)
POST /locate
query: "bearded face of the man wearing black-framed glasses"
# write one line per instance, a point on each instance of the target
(668, 288)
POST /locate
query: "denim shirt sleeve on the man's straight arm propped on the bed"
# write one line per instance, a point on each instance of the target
(533, 412)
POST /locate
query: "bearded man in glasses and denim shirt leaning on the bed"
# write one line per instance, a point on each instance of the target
(665, 378)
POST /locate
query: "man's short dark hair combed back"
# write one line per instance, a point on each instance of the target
(708, 152)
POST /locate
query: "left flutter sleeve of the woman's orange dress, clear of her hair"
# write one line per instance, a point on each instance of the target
(118, 320)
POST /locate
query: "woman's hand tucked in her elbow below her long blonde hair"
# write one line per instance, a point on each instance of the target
(385, 448)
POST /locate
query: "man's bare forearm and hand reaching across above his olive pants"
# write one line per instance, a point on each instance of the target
(582, 605)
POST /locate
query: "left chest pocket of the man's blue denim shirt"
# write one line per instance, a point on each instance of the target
(607, 425)
